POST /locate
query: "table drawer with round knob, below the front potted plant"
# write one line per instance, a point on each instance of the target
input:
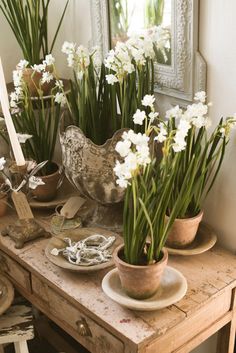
(89, 333)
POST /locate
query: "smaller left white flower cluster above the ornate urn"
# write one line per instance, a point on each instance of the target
(80, 58)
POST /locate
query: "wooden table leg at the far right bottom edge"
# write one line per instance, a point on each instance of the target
(226, 336)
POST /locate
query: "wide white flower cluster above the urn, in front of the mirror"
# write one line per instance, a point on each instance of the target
(137, 49)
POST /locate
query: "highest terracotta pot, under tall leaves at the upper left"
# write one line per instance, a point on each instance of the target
(32, 79)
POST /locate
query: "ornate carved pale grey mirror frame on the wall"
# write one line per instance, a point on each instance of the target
(187, 72)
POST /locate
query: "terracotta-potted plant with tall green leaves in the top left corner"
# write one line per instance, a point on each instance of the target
(29, 22)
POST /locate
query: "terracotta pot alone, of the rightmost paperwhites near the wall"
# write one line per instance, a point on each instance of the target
(183, 231)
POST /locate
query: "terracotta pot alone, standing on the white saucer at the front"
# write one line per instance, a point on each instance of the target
(139, 282)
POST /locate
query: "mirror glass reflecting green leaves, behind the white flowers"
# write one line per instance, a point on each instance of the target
(128, 17)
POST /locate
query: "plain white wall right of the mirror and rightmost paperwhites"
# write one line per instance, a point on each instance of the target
(217, 44)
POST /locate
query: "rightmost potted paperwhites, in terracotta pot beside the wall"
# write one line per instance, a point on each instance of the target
(201, 153)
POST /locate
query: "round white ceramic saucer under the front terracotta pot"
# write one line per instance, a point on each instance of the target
(172, 288)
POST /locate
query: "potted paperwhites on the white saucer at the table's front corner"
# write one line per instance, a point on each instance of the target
(148, 185)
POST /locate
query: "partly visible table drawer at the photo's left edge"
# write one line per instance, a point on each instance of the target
(15, 271)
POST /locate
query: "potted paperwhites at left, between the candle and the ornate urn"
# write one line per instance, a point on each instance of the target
(37, 121)
